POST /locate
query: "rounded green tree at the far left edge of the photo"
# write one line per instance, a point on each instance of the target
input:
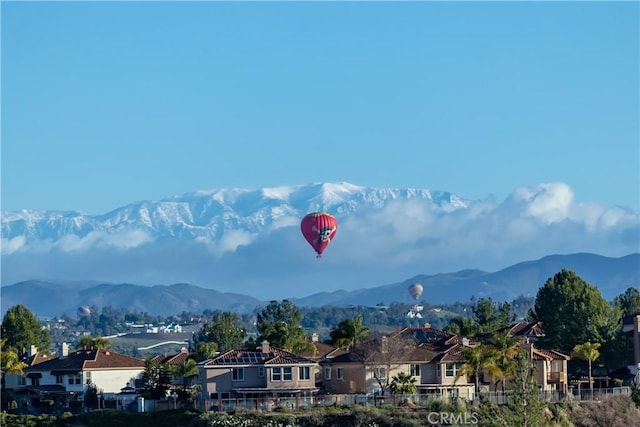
(21, 330)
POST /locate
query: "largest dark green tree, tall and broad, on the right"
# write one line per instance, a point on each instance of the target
(572, 312)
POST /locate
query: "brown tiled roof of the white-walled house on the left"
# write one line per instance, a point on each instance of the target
(83, 360)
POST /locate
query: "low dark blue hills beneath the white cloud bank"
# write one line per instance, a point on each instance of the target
(47, 299)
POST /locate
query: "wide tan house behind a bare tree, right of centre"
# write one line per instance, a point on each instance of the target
(432, 356)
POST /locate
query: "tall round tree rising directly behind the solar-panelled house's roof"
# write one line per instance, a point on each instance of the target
(280, 324)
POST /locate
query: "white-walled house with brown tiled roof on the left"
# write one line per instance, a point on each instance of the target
(69, 374)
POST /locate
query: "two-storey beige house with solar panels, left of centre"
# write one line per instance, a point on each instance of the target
(260, 373)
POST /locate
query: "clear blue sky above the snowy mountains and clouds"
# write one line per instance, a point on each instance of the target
(108, 103)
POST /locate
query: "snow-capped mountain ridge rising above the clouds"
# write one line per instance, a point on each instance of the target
(210, 214)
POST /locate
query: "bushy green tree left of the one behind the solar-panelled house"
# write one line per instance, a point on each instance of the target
(224, 330)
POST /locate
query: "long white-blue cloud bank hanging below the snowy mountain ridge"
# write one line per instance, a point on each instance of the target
(372, 246)
